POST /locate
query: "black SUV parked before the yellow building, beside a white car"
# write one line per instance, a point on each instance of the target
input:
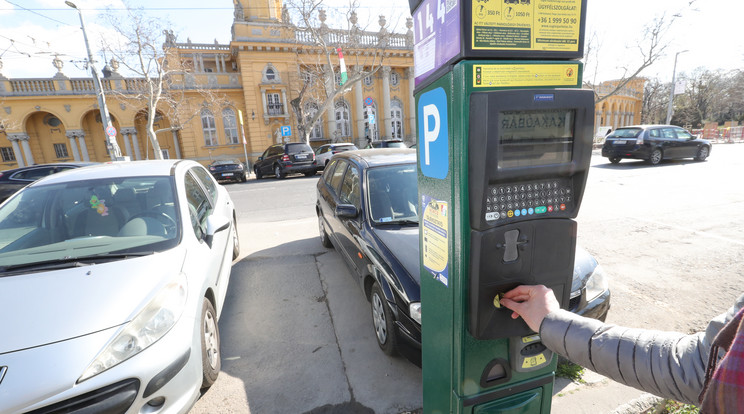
(282, 159)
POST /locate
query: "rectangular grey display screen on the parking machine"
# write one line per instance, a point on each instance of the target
(529, 138)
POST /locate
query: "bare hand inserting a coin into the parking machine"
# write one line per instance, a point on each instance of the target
(532, 303)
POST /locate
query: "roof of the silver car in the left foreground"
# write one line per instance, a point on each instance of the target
(116, 169)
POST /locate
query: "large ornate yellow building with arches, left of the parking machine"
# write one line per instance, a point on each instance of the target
(258, 74)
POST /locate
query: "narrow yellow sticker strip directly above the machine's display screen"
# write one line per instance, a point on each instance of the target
(539, 75)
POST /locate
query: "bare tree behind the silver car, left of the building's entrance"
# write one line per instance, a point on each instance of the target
(163, 86)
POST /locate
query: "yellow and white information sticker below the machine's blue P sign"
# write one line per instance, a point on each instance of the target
(435, 238)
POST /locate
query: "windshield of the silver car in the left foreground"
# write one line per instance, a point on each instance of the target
(82, 220)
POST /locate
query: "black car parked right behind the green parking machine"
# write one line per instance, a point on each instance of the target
(367, 209)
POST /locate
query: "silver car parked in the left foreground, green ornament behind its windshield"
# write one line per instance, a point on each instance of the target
(118, 274)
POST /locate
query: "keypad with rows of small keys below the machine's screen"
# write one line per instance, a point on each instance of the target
(528, 200)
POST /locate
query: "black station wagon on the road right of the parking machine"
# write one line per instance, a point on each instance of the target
(654, 143)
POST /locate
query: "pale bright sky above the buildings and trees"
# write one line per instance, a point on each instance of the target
(708, 33)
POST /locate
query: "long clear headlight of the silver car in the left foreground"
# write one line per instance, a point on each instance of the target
(146, 328)
